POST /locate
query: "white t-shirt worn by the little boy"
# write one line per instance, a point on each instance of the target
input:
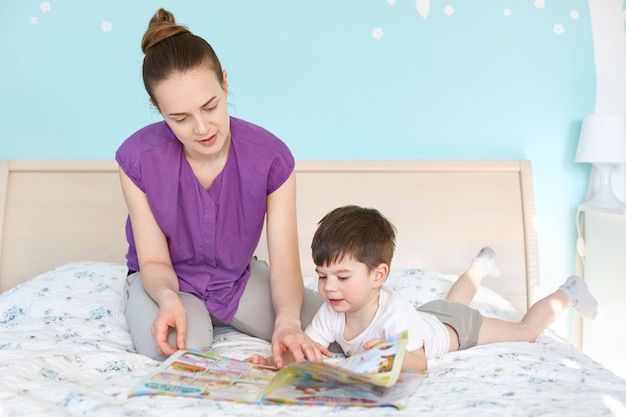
(394, 315)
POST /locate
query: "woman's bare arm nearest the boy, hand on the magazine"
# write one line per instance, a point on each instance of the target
(286, 278)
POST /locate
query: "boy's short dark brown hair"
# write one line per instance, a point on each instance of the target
(362, 233)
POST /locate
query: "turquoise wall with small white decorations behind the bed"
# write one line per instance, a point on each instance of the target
(488, 79)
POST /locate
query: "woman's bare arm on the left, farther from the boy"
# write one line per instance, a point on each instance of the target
(157, 274)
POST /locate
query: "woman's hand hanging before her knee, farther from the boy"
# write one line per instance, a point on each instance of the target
(172, 316)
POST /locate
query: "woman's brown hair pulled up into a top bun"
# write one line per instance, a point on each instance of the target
(171, 48)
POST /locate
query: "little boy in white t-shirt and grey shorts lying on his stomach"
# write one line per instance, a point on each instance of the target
(352, 249)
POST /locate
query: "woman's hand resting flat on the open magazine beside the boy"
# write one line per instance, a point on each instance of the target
(290, 343)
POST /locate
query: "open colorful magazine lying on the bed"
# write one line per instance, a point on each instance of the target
(369, 379)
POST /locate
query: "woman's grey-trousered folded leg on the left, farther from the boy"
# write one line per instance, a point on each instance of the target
(141, 311)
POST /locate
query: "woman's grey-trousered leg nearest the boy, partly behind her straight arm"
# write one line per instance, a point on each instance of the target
(255, 315)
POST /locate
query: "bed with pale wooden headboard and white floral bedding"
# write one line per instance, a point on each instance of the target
(65, 348)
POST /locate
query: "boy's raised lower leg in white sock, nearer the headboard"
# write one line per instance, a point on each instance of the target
(483, 265)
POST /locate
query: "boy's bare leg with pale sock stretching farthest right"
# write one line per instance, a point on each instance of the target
(573, 293)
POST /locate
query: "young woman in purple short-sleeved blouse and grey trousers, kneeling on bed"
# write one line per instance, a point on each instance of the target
(199, 186)
